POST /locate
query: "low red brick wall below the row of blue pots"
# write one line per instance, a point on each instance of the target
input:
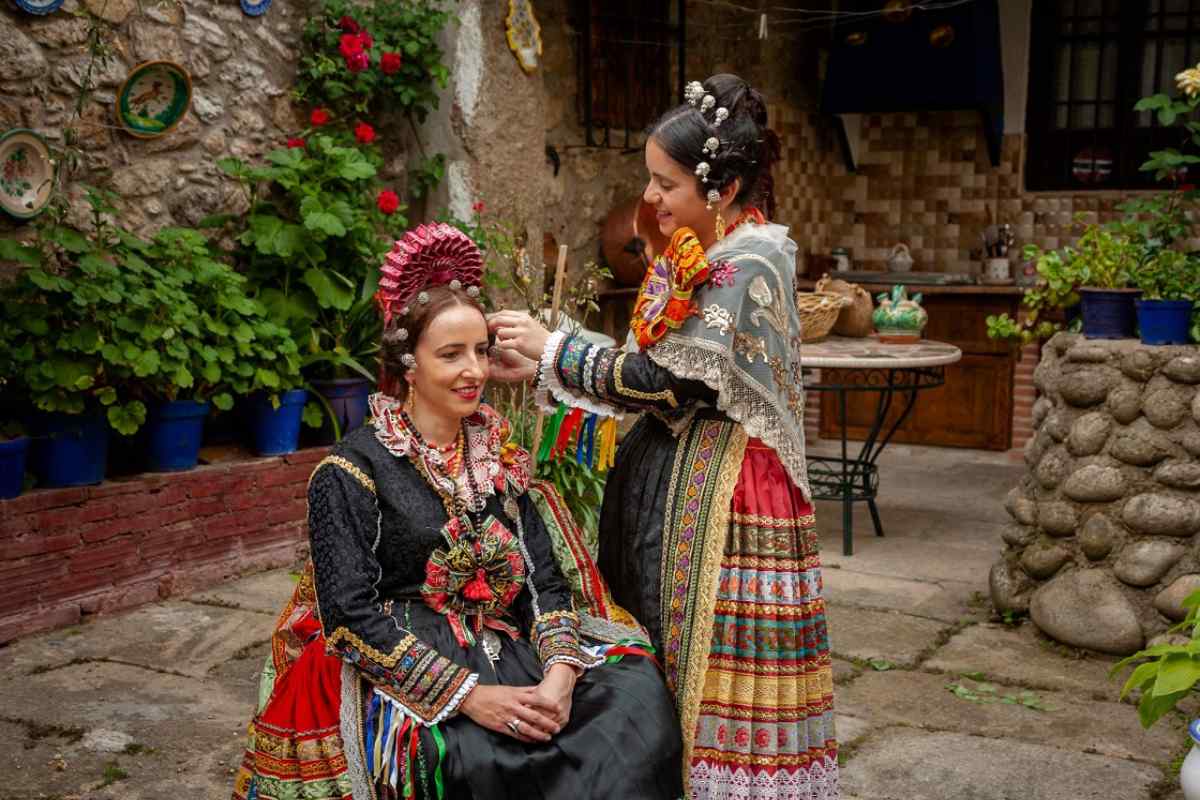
(73, 552)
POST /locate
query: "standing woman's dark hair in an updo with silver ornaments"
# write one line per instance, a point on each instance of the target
(748, 148)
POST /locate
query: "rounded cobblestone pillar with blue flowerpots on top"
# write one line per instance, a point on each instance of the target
(1102, 549)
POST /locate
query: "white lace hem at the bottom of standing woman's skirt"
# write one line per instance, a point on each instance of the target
(719, 783)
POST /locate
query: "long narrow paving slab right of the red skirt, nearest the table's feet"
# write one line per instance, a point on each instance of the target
(850, 587)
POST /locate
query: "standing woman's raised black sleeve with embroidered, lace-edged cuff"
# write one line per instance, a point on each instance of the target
(613, 376)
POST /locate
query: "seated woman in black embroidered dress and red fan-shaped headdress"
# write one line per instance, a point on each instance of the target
(433, 649)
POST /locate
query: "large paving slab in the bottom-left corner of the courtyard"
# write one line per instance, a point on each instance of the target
(195, 731)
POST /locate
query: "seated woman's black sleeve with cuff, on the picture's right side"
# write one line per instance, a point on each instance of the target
(547, 606)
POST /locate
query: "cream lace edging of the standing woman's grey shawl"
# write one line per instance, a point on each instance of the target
(739, 398)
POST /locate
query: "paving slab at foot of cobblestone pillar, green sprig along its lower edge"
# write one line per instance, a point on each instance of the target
(1022, 657)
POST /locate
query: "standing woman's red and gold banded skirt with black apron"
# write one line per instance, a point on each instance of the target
(707, 542)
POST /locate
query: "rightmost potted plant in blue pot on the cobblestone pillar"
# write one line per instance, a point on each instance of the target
(1171, 284)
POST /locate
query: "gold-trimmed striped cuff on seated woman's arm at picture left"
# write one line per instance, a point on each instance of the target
(428, 684)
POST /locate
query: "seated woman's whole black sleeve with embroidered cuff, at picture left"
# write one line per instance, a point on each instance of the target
(344, 527)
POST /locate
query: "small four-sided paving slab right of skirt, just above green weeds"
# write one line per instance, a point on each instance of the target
(866, 634)
